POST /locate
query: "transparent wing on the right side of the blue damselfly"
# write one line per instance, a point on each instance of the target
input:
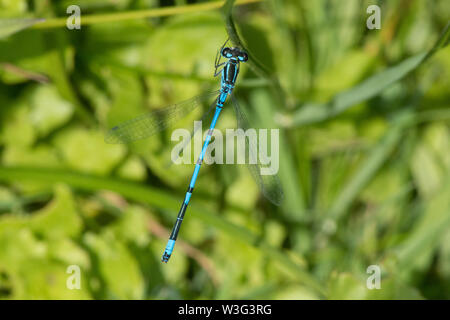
(269, 184)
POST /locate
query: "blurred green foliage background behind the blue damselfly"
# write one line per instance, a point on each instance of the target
(364, 155)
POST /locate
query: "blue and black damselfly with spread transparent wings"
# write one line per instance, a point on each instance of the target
(153, 122)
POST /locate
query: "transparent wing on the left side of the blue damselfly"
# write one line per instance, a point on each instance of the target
(150, 123)
